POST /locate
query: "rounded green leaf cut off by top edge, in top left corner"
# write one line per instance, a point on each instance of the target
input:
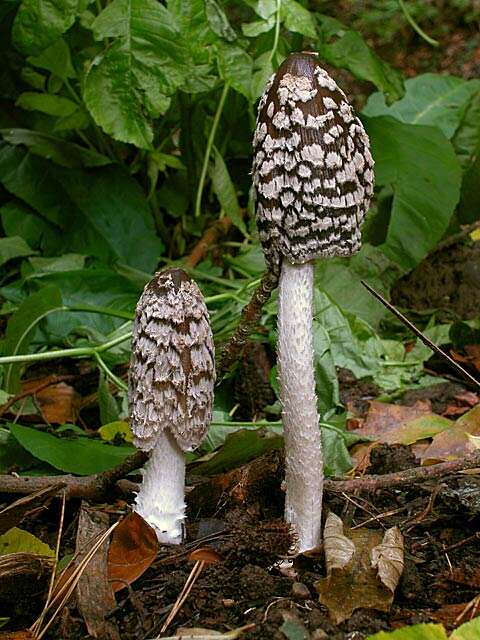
(39, 23)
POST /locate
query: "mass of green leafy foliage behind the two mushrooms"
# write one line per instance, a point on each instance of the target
(126, 133)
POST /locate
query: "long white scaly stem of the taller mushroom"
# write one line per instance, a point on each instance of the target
(303, 446)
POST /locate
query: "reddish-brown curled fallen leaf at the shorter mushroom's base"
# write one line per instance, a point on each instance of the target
(133, 548)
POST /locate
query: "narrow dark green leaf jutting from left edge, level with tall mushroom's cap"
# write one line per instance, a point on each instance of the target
(66, 154)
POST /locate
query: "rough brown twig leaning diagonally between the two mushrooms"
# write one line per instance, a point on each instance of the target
(250, 317)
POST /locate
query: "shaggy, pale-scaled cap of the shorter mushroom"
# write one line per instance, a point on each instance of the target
(172, 367)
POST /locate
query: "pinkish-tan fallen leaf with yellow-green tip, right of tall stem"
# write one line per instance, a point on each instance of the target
(397, 424)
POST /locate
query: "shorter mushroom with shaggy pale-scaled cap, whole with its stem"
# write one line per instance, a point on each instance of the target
(171, 380)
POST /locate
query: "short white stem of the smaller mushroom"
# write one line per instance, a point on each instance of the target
(160, 500)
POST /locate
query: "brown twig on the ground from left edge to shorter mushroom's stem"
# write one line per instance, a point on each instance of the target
(94, 487)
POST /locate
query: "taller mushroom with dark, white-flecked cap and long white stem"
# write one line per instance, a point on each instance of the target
(313, 179)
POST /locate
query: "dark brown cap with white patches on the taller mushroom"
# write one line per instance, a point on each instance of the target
(312, 167)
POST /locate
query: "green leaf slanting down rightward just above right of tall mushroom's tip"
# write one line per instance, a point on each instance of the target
(345, 48)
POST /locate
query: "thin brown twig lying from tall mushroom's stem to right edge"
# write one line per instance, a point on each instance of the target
(403, 478)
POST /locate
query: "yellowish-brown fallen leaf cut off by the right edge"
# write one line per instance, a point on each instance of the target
(454, 443)
